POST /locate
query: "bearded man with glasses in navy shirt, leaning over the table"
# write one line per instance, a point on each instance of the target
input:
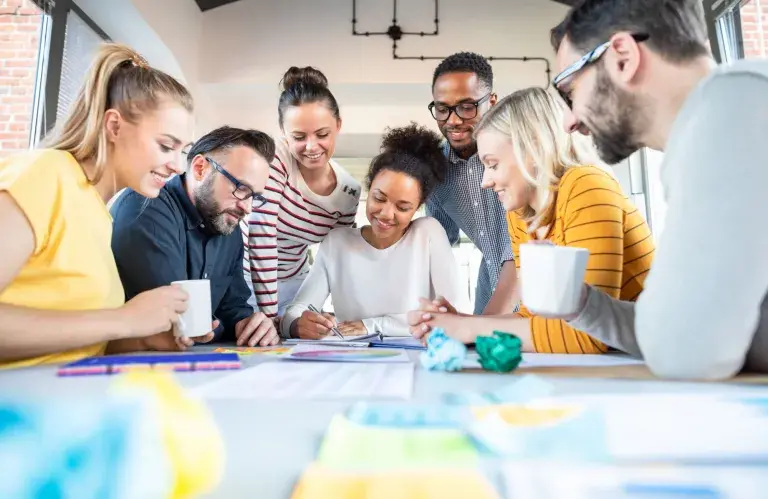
(191, 231)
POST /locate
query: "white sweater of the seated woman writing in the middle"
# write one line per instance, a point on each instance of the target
(380, 286)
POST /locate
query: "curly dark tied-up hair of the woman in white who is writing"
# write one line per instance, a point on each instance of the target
(414, 150)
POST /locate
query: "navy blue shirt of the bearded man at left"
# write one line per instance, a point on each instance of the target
(158, 241)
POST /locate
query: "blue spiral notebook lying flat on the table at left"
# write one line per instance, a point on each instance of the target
(115, 364)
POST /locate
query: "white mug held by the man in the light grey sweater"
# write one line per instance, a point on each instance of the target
(552, 278)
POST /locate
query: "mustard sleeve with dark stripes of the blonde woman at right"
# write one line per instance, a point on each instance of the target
(592, 217)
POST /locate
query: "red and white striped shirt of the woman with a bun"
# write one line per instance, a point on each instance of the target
(278, 235)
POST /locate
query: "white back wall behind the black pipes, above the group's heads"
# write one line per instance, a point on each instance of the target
(249, 44)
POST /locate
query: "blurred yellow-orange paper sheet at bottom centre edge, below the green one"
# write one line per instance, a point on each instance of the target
(320, 482)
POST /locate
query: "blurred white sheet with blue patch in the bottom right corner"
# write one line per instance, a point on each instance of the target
(530, 480)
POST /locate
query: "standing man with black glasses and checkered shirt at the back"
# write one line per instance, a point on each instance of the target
(462, 91)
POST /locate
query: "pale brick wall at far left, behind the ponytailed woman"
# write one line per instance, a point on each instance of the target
(20, 22)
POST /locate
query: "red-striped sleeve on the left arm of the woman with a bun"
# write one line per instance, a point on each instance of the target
(262, 241)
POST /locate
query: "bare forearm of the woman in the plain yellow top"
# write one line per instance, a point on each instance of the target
(27, 332)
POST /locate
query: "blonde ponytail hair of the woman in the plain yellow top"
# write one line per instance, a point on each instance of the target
(119, 79)
